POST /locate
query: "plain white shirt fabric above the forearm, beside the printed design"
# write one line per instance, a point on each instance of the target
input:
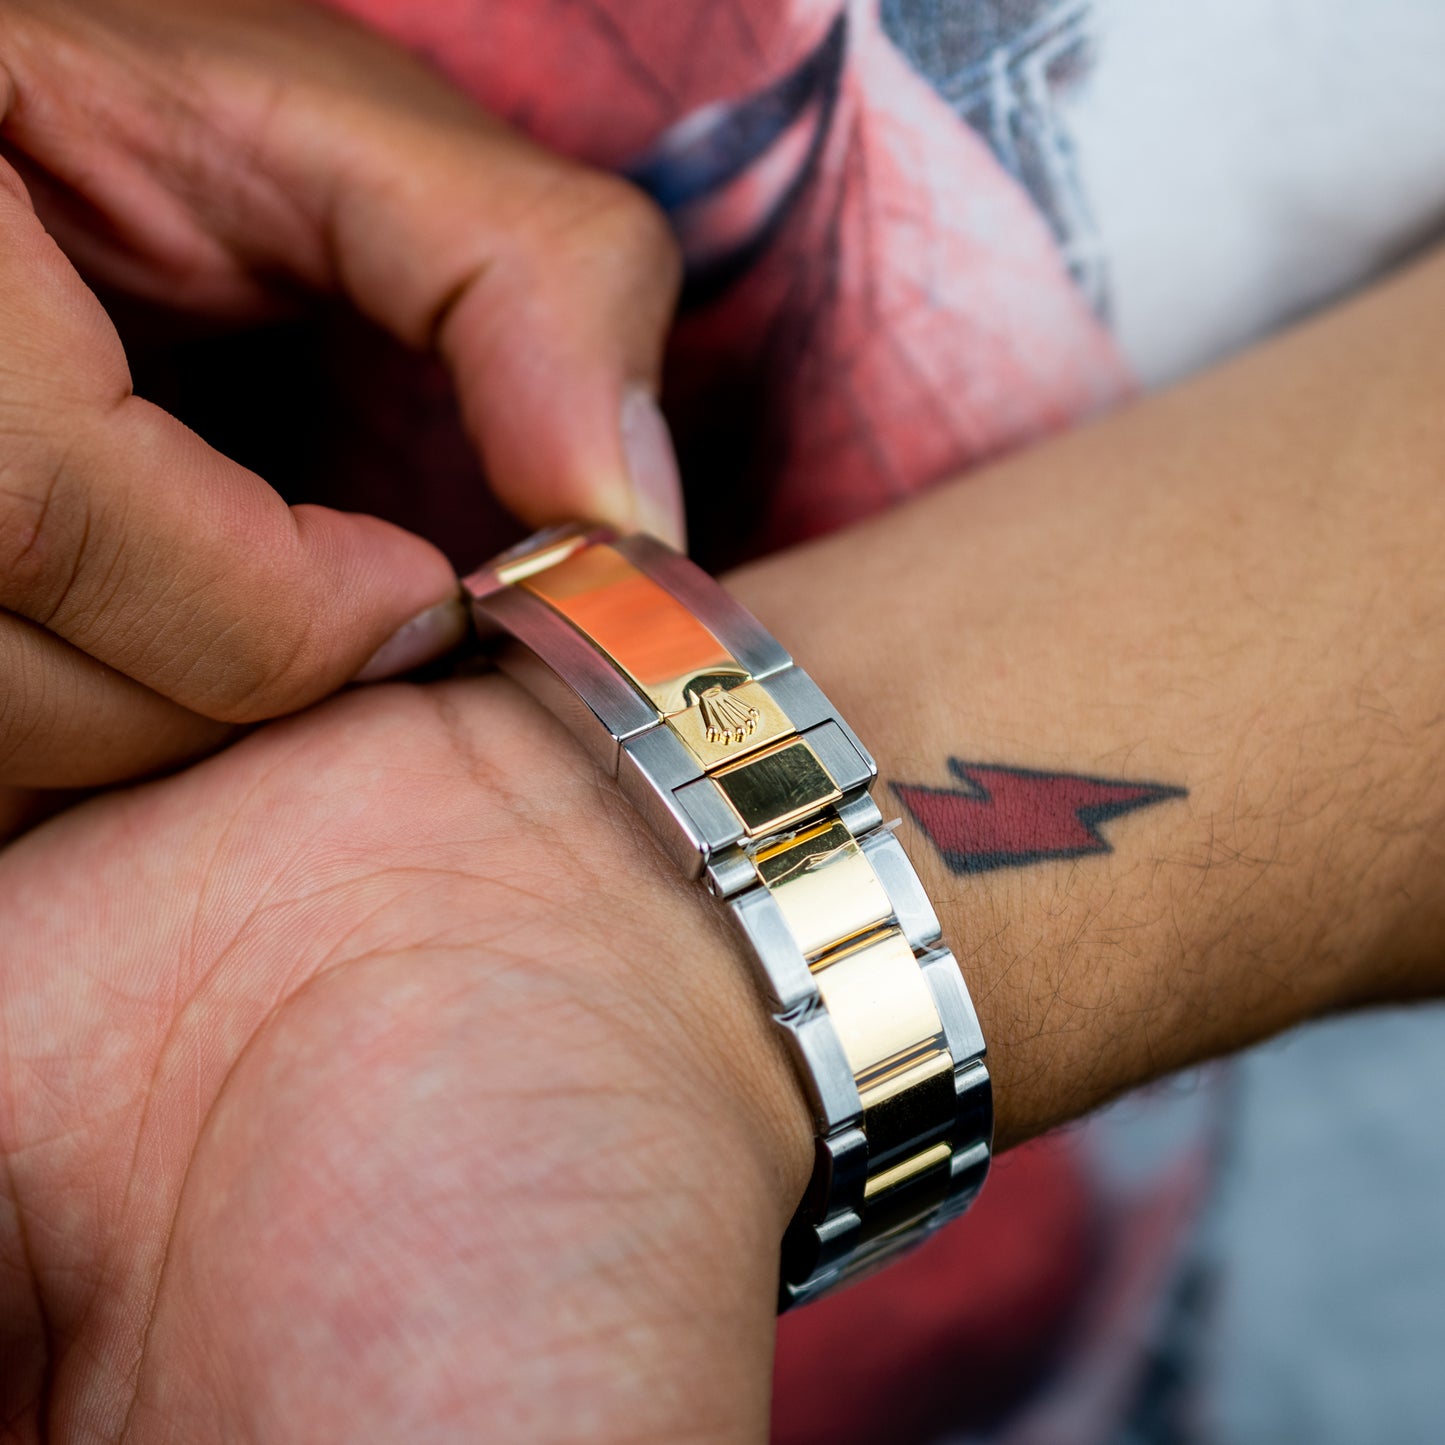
(1249, 160)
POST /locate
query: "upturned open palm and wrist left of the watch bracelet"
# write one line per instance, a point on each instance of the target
(359, 1084)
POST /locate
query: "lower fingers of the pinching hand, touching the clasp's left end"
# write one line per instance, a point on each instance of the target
(128, 543)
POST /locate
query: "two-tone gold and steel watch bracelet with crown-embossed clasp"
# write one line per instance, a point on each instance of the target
(754, 782)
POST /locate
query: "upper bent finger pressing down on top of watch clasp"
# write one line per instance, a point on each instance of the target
(280, 139)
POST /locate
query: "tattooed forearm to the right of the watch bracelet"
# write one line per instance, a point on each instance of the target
(1233, 590)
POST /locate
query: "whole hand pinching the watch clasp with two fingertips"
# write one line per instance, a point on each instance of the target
(223, 160)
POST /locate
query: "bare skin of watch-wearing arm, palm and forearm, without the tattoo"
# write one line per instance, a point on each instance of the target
(378, 1079)
